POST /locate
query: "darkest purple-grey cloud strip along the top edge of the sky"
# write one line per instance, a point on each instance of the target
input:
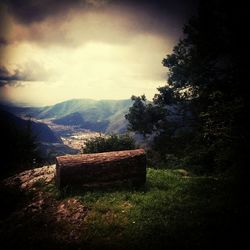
(29, 11)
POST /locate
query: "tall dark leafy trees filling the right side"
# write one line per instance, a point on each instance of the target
(206, 90)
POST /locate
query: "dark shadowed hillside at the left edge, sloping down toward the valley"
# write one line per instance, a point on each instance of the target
(27, 143)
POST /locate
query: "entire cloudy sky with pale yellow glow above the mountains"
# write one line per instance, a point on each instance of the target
(52, 50)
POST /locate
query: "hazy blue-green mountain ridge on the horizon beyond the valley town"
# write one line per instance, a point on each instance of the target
(102, 115)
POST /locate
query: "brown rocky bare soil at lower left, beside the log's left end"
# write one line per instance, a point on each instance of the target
(39, 215)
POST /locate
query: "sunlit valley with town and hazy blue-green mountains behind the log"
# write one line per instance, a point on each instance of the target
(71, 123)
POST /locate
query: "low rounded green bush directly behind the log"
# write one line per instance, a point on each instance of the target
(109, 143)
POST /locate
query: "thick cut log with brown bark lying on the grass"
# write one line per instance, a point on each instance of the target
(102, 169)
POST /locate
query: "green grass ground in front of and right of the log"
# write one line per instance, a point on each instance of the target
(173, 211)
